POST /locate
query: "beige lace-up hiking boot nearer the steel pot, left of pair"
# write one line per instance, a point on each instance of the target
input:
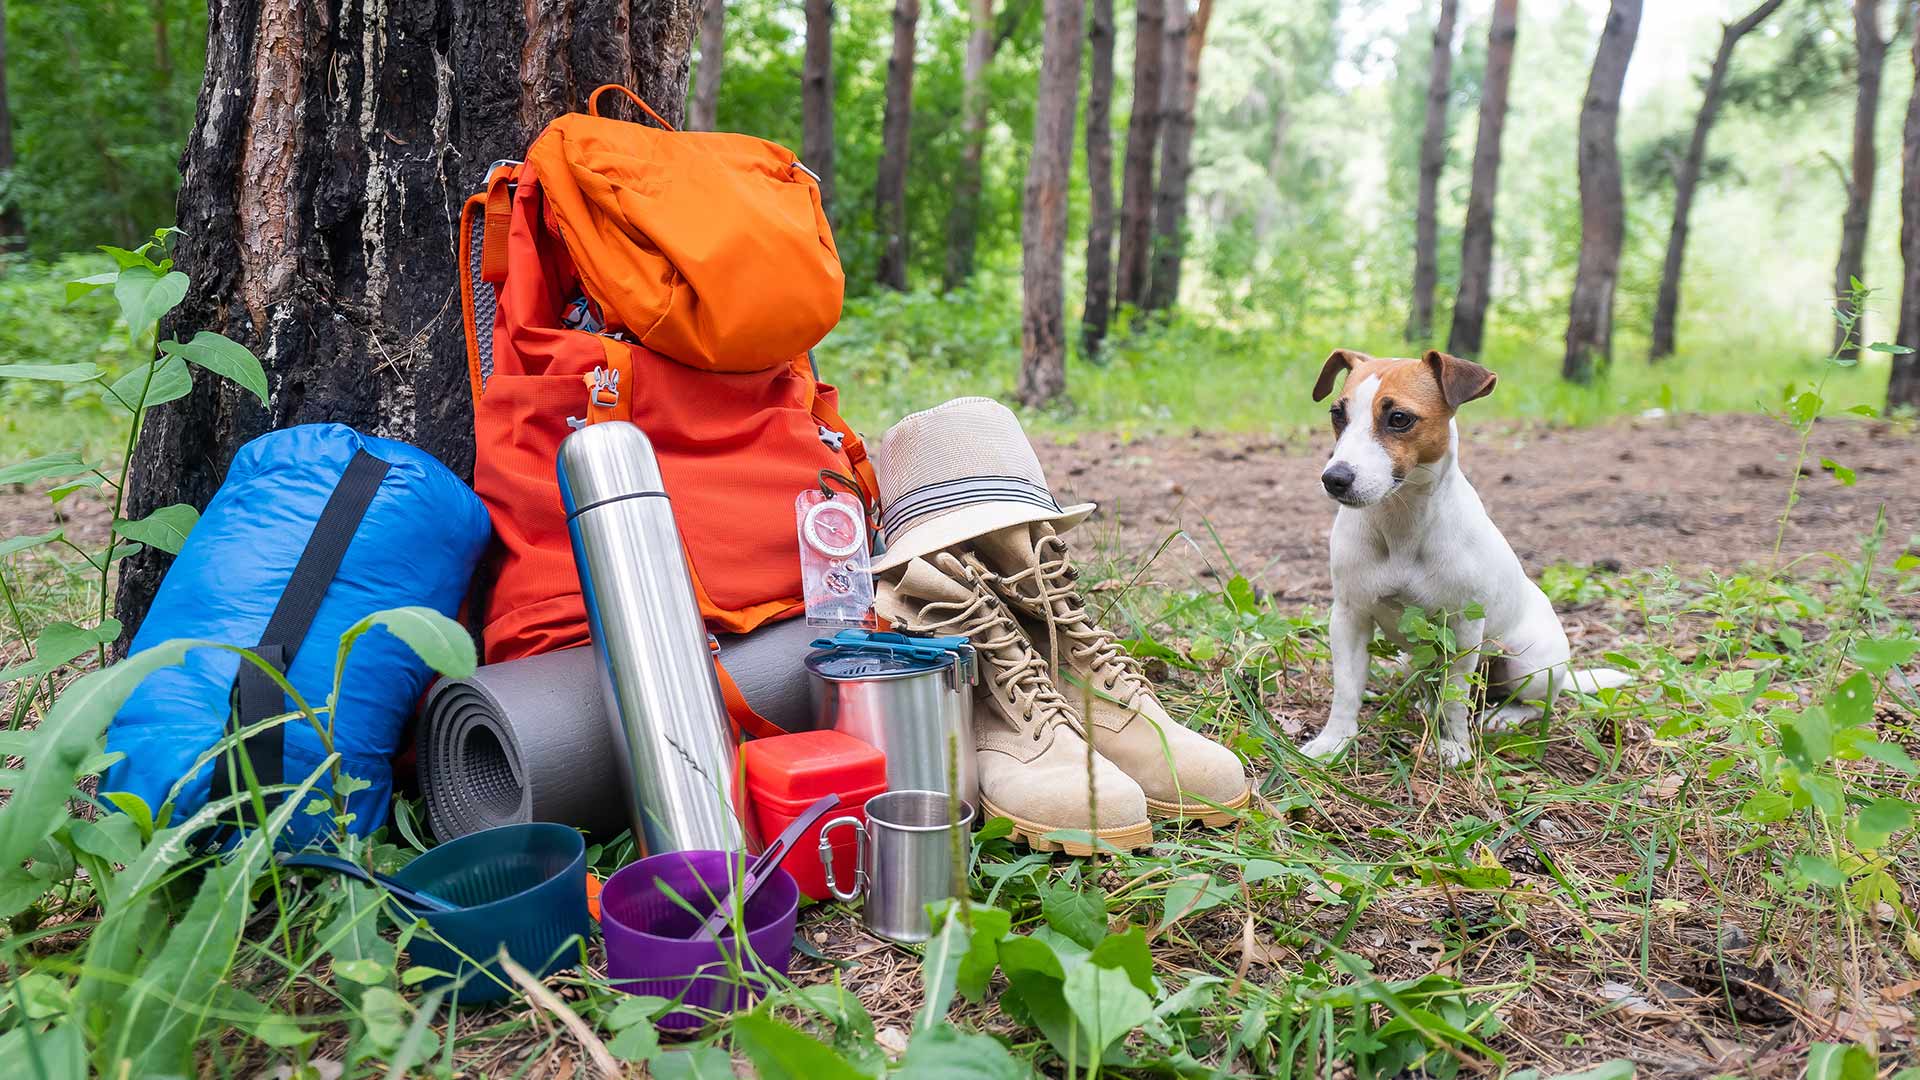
(1032, 756)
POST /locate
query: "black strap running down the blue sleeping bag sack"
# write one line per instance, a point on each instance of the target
(256, 695)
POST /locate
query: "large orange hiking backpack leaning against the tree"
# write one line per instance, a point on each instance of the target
(677, 282)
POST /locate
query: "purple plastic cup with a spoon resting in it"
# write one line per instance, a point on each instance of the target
(648, 935)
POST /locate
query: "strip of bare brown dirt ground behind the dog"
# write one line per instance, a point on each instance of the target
(1696, 493)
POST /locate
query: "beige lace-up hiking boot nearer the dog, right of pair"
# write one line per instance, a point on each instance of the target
(1182, 772)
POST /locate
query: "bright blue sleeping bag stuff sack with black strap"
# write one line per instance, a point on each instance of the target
(314, 529)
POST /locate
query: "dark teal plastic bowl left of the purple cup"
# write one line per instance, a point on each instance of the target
(523, 887)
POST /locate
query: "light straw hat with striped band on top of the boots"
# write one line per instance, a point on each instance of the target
(959, 472)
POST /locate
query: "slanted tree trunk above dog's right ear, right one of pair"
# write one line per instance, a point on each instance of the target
(1477, 239)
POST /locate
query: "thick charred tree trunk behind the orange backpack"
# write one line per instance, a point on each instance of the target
(331, 155)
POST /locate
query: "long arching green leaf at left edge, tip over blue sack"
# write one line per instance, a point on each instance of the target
(64, 741)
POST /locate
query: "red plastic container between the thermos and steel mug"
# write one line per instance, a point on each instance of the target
(790, 773)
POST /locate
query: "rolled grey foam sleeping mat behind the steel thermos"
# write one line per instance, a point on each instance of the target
(529, 739)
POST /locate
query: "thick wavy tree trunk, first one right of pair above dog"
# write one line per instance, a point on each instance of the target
(1602, 205)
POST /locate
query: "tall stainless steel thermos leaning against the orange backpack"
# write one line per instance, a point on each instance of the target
(671, 729)
